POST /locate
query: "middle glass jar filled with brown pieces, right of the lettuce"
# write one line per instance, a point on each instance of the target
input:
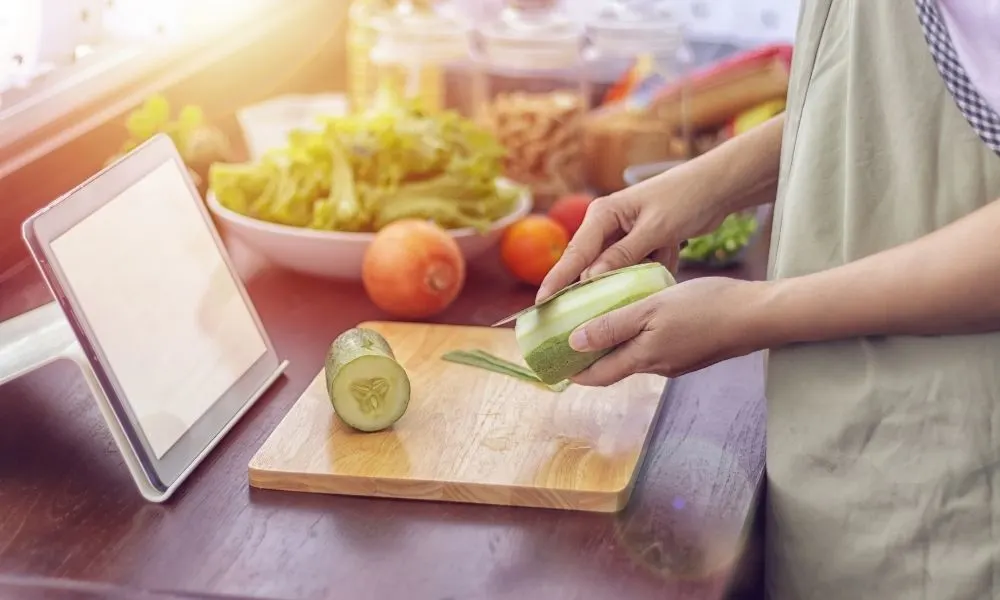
(532, 95)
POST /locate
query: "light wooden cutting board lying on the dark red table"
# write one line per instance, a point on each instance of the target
(469, 435)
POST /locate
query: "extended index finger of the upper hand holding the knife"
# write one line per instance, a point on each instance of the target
(598, 225)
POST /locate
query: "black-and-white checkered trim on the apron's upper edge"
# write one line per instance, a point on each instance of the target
(983, 118)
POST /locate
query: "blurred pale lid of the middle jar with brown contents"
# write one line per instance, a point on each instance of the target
(531, 35)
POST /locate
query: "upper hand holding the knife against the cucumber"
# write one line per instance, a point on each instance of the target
(648, 220)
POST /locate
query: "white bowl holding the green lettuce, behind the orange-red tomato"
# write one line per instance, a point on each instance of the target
(339, 254)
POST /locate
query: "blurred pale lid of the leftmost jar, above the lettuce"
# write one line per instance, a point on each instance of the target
(411, 34)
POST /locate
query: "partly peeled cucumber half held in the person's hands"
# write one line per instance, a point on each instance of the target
(543, 333)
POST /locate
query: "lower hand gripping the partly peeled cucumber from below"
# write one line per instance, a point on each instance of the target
(681, 329)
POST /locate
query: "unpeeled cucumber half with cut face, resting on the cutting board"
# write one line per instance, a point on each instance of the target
(368, 388)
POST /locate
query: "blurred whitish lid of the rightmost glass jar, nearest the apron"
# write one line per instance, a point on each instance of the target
(634, 28)
